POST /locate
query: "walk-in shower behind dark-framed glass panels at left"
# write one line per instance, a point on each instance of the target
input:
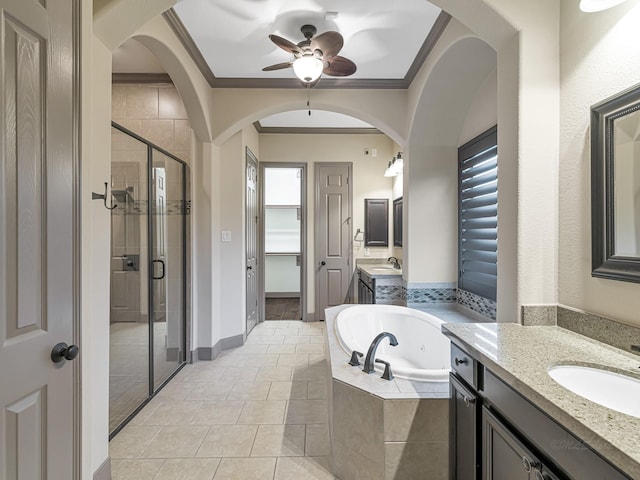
(148, 272)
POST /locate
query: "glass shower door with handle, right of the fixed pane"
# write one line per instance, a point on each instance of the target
(167, 291)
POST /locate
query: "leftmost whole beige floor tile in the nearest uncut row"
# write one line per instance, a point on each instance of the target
(176, 442)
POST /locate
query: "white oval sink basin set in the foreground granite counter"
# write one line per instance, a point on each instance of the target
(609, 389)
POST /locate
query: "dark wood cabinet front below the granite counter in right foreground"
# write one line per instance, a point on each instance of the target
(497, 434)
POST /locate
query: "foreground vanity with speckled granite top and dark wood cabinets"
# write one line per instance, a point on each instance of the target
(510, 420)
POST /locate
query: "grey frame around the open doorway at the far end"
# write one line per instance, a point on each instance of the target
(303, 234)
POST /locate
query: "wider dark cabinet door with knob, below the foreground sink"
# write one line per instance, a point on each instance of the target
(505, 457)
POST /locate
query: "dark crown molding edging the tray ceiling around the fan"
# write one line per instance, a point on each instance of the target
(189, 44)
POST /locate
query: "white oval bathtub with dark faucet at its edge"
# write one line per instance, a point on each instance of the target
(422, 353)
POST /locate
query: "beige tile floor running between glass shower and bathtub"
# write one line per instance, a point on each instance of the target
(256, 412)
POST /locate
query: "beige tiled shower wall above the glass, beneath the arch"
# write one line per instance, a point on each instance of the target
(155, 112)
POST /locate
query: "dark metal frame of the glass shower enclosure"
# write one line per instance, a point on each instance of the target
(185, 343)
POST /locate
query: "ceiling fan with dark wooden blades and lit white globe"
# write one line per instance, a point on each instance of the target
(314, 56)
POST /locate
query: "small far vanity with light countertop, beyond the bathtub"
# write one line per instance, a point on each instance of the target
(379, 283)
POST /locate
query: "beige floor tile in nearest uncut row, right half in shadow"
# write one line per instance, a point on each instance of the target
(279, 441)
